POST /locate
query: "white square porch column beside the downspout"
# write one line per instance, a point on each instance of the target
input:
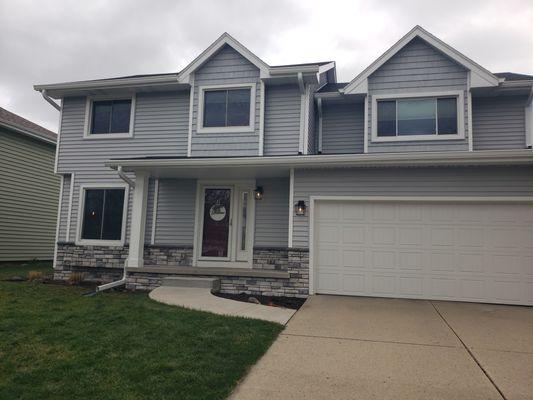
(138, 220)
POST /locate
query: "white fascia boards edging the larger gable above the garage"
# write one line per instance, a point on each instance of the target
(483, 76)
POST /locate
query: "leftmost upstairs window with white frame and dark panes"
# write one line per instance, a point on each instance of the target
(109, 117)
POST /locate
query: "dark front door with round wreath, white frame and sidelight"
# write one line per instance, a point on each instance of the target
(224, 225)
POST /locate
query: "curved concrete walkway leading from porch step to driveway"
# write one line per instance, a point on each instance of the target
(202, 300)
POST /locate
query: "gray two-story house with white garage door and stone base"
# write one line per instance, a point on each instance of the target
(413, 180)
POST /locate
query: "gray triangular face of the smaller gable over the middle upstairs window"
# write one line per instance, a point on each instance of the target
(226, 64)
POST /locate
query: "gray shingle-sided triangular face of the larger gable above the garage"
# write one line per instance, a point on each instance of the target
(418, 64)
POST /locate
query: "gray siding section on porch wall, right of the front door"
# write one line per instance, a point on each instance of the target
(272, 213)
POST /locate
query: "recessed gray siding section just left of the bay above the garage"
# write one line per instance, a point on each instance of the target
(342, 128)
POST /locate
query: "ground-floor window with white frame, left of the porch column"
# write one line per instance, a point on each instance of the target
(102, 214)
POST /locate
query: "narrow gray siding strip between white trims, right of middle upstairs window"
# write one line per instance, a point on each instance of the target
(282, 120)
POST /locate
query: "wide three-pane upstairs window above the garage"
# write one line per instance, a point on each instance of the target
(417, 117)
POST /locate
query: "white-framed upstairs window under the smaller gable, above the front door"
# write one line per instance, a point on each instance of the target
(226, 109)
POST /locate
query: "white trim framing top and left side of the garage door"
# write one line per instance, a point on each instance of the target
(444, 199)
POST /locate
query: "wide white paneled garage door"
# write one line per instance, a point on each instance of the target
(479, 252)
